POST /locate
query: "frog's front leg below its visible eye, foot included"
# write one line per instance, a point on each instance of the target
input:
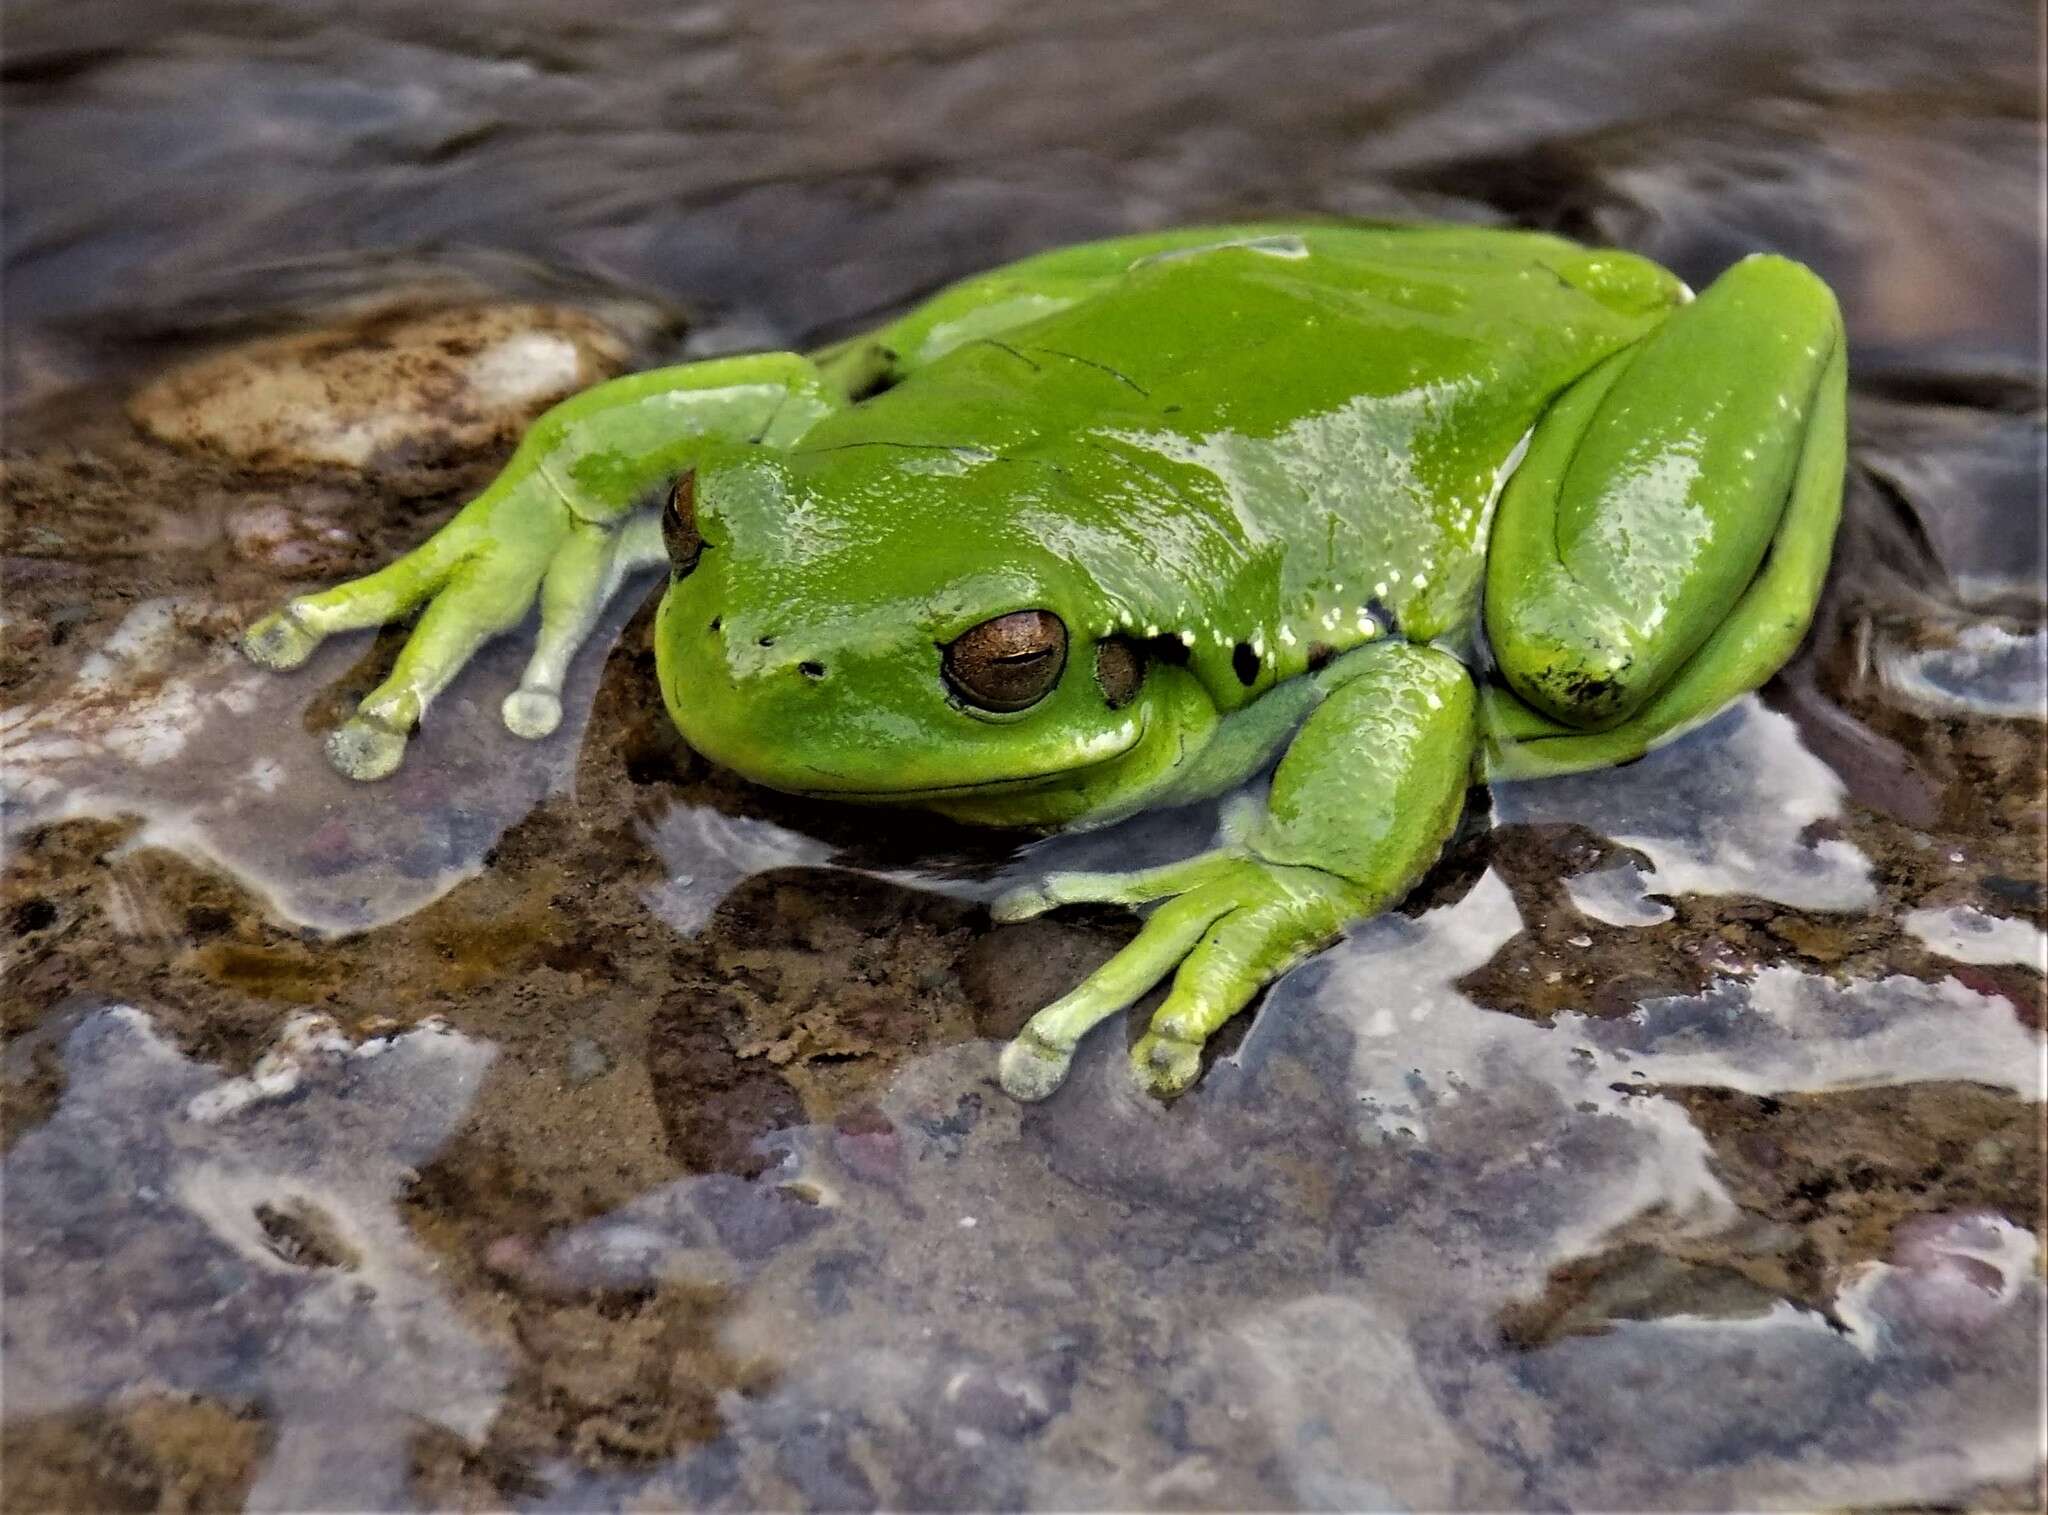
(1359, 810)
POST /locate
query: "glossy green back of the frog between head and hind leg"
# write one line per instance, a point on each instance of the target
(1281, 437)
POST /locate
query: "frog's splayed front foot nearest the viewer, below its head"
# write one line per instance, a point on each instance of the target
(1232, 926)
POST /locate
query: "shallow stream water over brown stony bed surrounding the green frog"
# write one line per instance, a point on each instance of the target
(566, 1125)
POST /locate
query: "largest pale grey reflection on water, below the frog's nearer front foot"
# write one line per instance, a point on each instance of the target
(1066, 1307)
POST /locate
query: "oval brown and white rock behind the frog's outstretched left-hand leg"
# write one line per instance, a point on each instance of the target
(390, 394)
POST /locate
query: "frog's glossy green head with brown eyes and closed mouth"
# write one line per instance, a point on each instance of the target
(884, 625)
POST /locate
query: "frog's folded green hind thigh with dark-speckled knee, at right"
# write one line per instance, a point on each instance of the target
(1656, 490)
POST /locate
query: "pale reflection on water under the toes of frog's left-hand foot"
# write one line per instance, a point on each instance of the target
(171, 724)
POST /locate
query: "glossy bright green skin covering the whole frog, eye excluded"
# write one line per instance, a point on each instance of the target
(1263, 466)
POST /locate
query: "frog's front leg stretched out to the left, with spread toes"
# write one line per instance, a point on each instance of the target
(562, 525)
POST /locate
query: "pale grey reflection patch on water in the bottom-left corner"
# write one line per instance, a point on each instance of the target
(179, 1231)
